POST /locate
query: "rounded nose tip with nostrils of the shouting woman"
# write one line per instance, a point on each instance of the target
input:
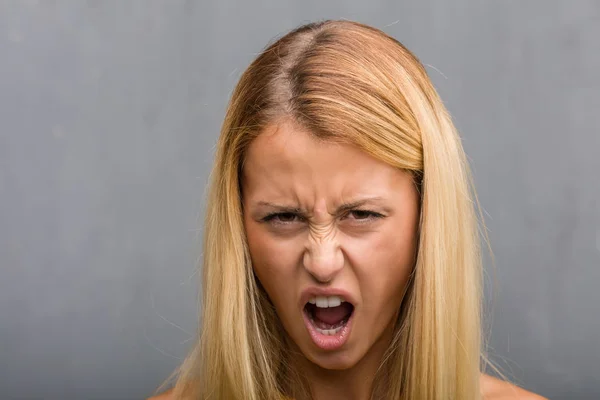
(323, 260)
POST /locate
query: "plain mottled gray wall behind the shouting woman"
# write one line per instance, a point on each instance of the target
(109, 111)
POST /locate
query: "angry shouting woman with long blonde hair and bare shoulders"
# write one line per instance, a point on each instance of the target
(341, 253)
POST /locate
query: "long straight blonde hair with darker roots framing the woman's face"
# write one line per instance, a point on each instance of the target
(348, 82)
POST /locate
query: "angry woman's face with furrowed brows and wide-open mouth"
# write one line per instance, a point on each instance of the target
(332, 237)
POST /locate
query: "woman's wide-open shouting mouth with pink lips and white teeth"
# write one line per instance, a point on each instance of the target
(328, 320)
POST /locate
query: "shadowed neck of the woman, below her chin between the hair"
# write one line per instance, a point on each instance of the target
(354, 383)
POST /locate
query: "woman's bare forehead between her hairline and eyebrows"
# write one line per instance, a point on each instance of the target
(287, 162)
